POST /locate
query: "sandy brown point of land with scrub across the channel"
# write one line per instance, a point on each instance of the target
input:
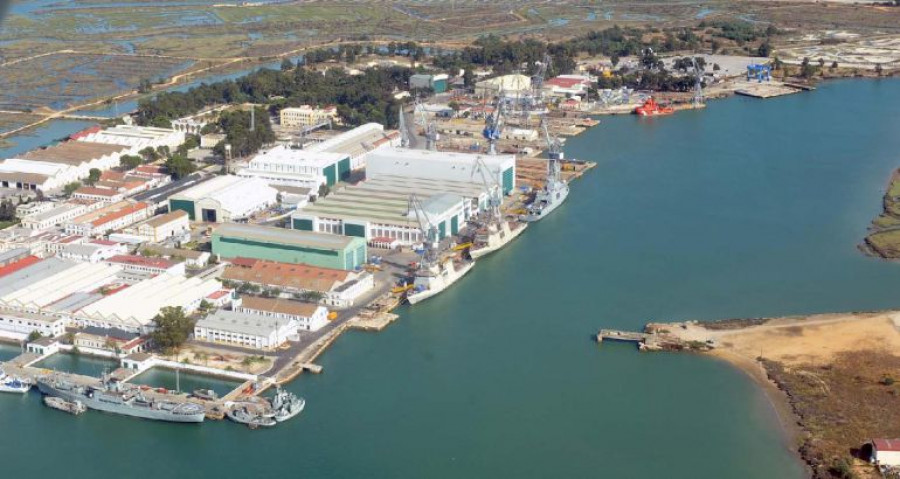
(833, 379)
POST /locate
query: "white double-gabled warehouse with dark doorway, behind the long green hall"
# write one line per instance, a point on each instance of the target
(224, 198)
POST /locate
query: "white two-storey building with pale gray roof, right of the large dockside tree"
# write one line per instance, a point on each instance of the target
(242, 329)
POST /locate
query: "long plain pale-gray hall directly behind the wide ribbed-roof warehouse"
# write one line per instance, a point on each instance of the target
(443, 165)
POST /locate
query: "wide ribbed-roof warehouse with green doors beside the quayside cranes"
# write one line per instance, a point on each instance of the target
(379, 208)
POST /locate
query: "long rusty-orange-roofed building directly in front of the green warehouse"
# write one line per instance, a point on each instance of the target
(339, 288)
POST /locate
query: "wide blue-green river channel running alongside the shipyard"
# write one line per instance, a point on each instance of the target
(748, 208)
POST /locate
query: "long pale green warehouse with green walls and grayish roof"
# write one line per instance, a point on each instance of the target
(234, 240)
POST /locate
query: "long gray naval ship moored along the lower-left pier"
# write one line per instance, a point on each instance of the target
(109, 396)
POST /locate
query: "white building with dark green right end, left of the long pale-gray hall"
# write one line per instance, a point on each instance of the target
(286, 166)
